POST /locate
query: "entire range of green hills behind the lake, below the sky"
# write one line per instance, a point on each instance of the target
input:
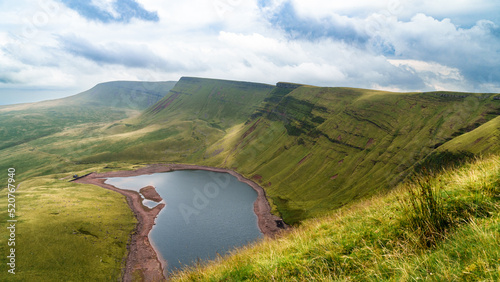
(313, 149)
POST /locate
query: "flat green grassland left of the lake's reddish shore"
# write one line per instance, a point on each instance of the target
(67, 231)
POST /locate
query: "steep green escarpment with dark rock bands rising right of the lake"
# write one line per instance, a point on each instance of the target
(316, 149)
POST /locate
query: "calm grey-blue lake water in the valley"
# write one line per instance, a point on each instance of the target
(206, 213)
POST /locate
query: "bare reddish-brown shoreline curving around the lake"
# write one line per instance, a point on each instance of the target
(143, 256)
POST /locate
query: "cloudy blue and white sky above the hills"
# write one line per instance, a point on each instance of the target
(54, 48)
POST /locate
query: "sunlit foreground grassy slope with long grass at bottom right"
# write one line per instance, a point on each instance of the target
(443, 227)
